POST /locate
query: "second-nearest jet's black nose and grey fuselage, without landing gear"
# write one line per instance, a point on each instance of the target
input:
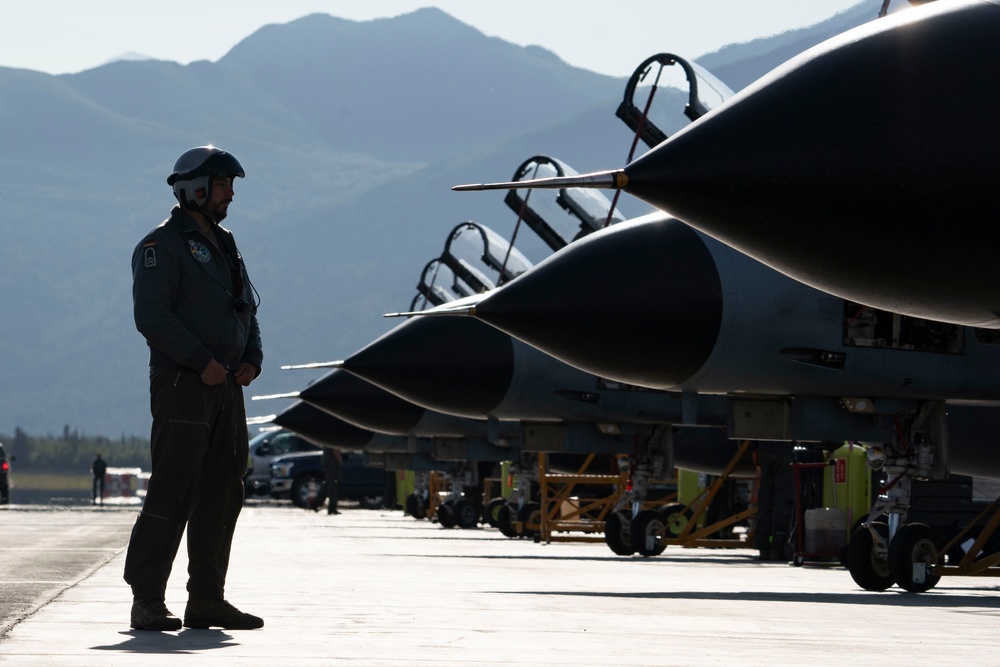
(673, 309)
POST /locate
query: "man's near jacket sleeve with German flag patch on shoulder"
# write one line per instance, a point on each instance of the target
(155, 279)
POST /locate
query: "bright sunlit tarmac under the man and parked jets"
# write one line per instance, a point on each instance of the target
(378, 588)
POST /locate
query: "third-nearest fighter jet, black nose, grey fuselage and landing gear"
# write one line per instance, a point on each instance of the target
(463, 367)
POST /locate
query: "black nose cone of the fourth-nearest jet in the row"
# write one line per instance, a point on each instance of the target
(361, 403)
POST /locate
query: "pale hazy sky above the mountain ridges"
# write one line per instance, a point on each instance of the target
(60, 36)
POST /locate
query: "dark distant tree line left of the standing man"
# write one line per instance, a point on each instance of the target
(73, 451)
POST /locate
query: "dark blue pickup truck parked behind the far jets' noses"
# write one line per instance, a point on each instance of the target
(300, 477)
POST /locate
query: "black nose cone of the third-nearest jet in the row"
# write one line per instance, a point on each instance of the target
(455, 365)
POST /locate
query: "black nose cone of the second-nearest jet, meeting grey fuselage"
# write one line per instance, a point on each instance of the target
(640, 302)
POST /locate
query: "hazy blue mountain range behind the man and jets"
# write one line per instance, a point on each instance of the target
(351, 133)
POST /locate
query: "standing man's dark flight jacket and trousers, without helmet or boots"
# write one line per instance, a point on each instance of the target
(193, 302)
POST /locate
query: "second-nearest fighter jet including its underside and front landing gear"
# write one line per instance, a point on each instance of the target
(789, 358)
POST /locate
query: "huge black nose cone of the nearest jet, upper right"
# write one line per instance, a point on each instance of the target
(865, 167)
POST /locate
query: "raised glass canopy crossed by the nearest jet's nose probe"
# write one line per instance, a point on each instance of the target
(570, 214)
